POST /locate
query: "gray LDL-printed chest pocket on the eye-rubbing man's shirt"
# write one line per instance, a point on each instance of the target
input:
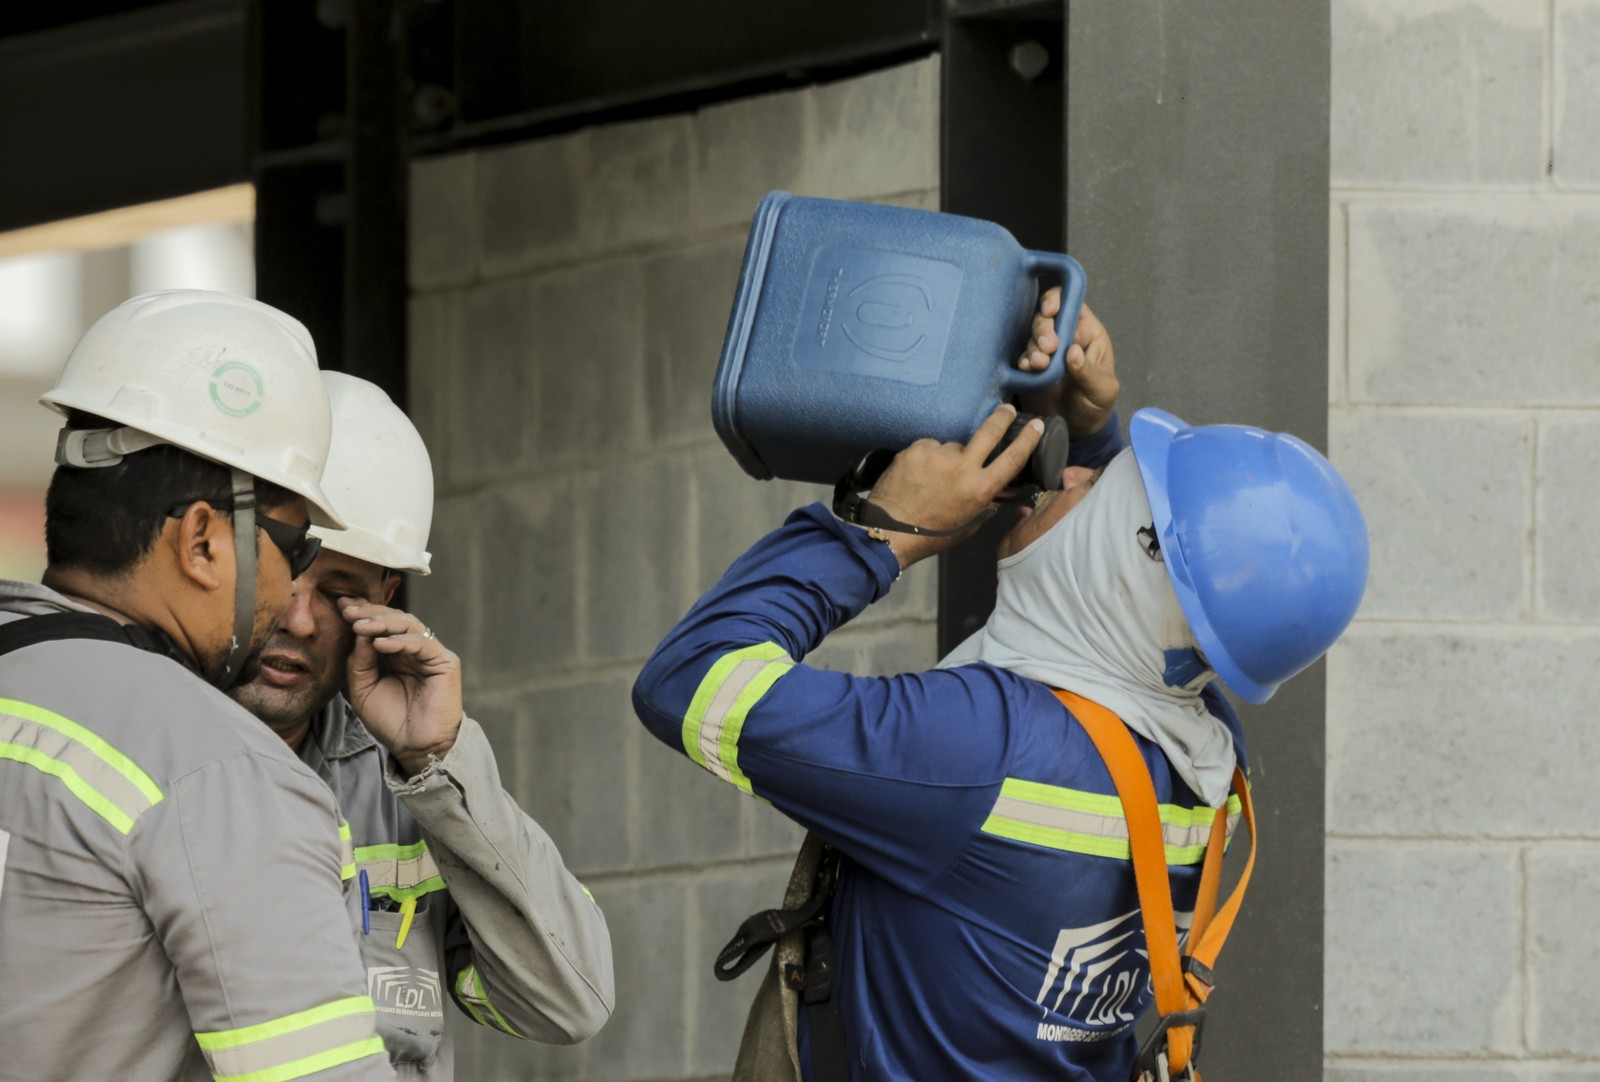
(406, 985)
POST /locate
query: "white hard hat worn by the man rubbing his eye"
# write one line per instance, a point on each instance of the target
(380, 476)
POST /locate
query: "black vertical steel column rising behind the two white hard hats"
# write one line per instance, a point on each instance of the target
(332, 178)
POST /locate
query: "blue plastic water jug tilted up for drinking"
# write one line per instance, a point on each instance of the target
(862, 327)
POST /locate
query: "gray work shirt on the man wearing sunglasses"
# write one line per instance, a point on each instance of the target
(170, 880)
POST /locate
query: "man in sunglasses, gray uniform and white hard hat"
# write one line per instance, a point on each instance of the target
(170, 876)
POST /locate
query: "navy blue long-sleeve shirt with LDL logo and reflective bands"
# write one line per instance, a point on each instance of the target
(986, 920)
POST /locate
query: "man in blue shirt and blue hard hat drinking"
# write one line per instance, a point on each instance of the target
(986, 921)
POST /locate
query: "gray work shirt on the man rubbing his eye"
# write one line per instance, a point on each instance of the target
(500, 924)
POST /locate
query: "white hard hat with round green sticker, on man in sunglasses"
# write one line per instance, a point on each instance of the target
(223, 377)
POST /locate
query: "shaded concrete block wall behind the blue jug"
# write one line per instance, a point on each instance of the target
(569, 305)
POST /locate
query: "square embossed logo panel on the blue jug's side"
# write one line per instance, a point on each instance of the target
(881, 315)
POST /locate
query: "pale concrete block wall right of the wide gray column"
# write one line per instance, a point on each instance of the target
(1463, 820)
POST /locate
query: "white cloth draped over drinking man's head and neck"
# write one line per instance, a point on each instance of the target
(1087, 609)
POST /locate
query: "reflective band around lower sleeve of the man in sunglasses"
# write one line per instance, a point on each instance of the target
(297, 1044)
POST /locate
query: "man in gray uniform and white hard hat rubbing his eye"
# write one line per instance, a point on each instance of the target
(468, 897)
